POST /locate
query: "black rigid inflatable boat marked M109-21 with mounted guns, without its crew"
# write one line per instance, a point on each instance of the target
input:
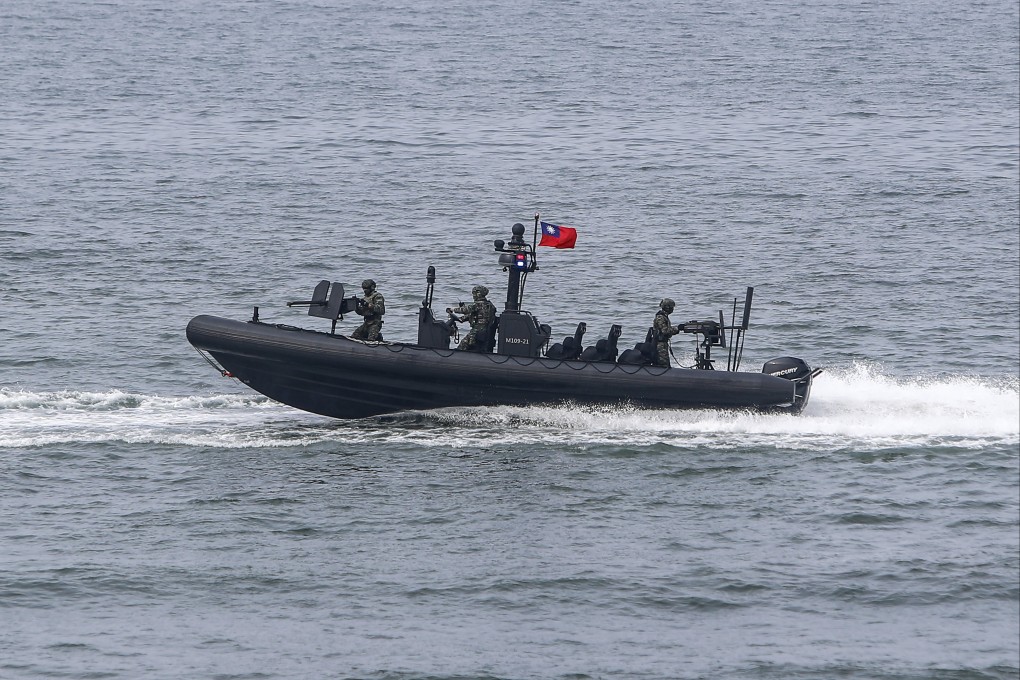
(336, 376)
